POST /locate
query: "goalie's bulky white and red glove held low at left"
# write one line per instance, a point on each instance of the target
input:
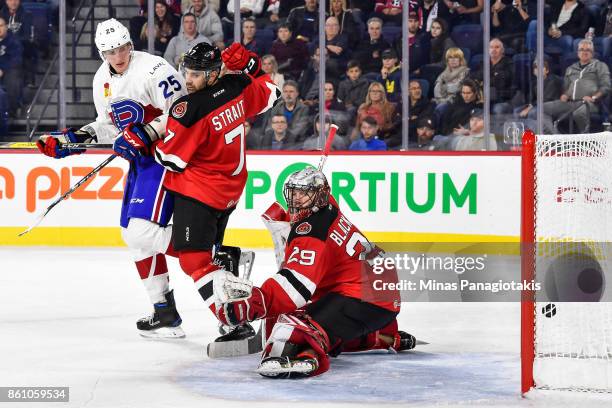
(237, 300)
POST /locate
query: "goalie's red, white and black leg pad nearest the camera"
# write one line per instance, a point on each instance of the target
(292, 335)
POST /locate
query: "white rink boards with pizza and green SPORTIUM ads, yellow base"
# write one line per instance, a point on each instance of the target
(393, 197)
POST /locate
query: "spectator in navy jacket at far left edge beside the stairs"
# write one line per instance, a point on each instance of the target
(11, 60)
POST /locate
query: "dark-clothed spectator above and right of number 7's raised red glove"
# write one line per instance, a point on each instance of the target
(291, 54)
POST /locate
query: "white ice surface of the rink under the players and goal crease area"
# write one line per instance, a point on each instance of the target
(67, 318)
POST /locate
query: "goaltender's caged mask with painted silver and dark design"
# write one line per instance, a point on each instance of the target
(306, 191)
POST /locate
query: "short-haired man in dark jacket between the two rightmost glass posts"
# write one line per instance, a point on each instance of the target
(502, 77)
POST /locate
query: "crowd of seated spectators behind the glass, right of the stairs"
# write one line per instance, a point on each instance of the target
(363, 57)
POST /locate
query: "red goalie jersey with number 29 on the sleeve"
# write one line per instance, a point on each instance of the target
(324, 254)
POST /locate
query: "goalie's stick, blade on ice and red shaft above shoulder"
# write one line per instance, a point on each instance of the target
(255, 344)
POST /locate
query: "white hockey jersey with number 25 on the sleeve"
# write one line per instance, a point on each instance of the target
(145, 91)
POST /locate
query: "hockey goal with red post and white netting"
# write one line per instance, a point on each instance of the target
(566, 330)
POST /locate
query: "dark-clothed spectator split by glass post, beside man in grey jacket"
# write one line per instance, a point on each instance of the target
(525, 102)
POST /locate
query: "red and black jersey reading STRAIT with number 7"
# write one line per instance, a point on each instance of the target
(204, 147)
